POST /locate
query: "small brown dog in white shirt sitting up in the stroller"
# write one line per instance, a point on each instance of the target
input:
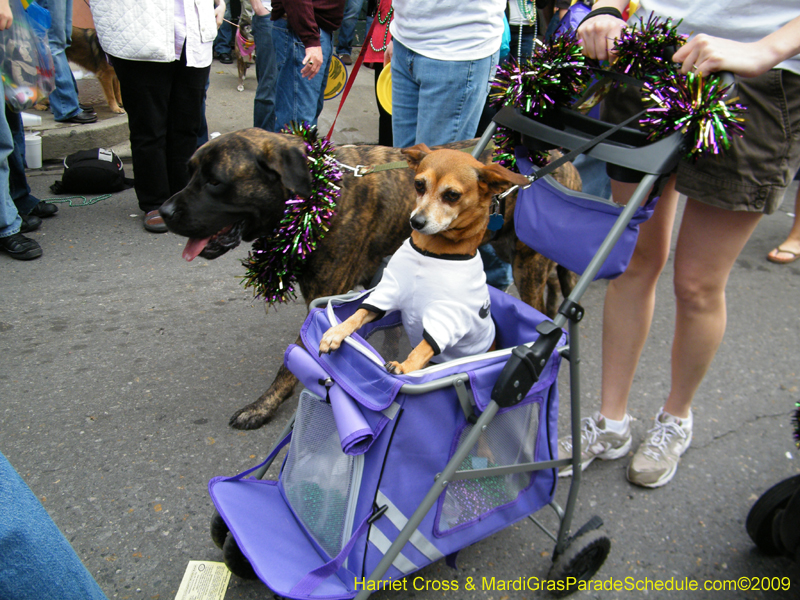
(436, 278)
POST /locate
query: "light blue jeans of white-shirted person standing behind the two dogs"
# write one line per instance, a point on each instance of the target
(437, 101)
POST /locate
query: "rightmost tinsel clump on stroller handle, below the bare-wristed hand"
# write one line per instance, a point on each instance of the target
(695, 105)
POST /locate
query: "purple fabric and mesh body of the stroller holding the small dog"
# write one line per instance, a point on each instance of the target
(367, 446)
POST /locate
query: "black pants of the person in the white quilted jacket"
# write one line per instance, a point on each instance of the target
(164, 102)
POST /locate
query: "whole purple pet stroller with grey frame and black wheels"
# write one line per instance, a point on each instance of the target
(386, 474)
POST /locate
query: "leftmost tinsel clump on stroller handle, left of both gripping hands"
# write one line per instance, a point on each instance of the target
(551, 77)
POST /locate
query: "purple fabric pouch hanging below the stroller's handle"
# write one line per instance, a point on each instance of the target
(570, 228)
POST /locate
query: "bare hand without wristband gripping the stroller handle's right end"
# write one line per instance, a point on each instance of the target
(706, 54)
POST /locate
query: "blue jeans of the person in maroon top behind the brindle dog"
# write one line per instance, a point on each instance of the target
(297, 99)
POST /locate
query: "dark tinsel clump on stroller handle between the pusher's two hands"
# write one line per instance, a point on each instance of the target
(645, 49)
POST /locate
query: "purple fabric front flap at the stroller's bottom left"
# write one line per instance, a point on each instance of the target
(270, 537)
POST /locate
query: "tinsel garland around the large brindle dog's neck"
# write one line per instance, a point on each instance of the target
(275, 261)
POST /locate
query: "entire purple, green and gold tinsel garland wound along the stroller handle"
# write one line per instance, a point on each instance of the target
(556, 74)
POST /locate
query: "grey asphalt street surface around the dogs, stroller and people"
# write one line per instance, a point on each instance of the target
(122, 364)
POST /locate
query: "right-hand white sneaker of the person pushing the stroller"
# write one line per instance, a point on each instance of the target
(655, 462)
